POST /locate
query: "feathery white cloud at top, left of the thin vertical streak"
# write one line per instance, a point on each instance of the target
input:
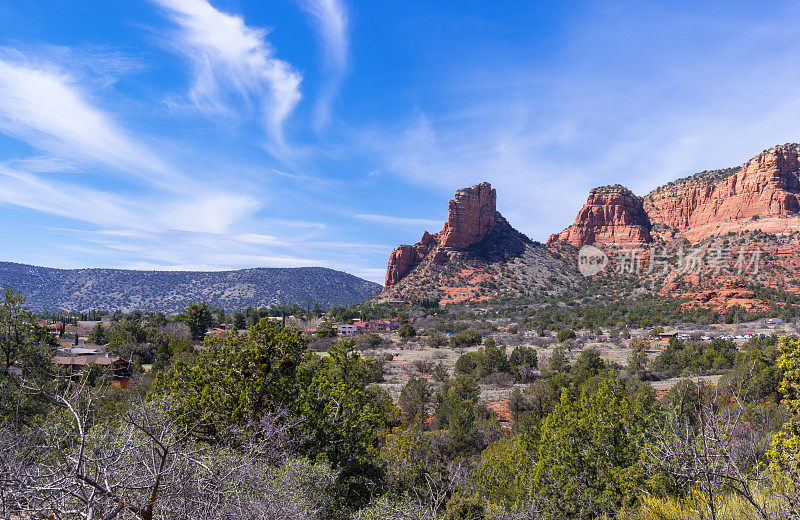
(233, 64)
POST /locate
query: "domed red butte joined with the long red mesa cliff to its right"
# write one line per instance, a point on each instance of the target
(763, 194)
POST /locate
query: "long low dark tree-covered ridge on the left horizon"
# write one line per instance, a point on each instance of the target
(171, 291)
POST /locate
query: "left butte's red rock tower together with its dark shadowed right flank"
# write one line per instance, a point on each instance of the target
(473, 227)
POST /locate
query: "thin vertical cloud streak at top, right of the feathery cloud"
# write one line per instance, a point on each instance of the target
(331, 21)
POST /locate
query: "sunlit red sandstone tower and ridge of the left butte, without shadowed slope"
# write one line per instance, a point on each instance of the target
(471, 216)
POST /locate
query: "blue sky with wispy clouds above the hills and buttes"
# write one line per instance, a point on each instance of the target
(188, 134)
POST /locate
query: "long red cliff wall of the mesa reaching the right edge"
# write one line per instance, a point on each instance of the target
(767, 186)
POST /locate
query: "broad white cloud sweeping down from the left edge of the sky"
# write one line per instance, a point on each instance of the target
(50, 109)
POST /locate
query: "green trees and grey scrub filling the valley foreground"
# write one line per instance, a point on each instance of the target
(257, 425)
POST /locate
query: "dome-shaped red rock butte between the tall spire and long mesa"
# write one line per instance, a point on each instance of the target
(612, 215)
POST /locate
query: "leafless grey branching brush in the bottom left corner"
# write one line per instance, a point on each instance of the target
(144, 464)
